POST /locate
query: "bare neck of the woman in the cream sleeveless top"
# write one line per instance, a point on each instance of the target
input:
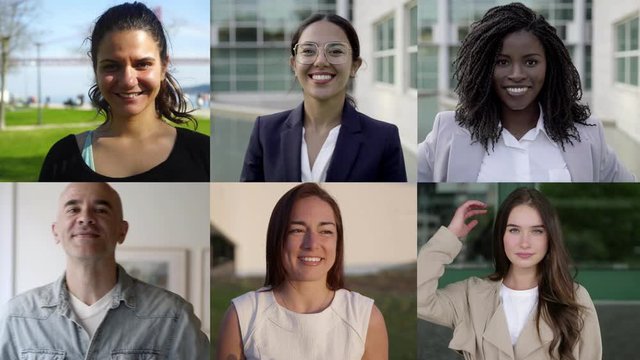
(304, 297)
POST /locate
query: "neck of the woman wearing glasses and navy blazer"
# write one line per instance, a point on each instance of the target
(322, 114)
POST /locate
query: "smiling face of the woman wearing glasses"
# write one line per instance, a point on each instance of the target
(323, 80)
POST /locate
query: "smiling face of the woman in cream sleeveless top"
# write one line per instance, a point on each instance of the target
(310, 245)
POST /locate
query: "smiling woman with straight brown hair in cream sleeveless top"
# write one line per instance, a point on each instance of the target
(303, 311)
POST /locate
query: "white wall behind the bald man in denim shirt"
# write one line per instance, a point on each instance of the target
(160, 215)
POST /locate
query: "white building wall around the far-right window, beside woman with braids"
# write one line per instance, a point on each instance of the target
(613, 102)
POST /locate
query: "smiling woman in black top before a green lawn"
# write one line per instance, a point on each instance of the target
(138, 98)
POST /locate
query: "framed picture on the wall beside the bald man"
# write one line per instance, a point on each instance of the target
(165, 268)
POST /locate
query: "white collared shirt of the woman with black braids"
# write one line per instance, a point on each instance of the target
(533, 158)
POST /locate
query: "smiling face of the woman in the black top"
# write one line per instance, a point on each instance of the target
(129, 72)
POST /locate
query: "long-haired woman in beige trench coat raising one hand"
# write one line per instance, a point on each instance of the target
(530, 307)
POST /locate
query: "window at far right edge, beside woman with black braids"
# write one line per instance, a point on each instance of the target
(627, 51)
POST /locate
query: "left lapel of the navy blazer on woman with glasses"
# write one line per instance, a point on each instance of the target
(291, 143)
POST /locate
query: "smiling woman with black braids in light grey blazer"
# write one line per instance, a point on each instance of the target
(518, 117)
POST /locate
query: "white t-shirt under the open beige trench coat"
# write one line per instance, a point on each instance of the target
(517, 305)
